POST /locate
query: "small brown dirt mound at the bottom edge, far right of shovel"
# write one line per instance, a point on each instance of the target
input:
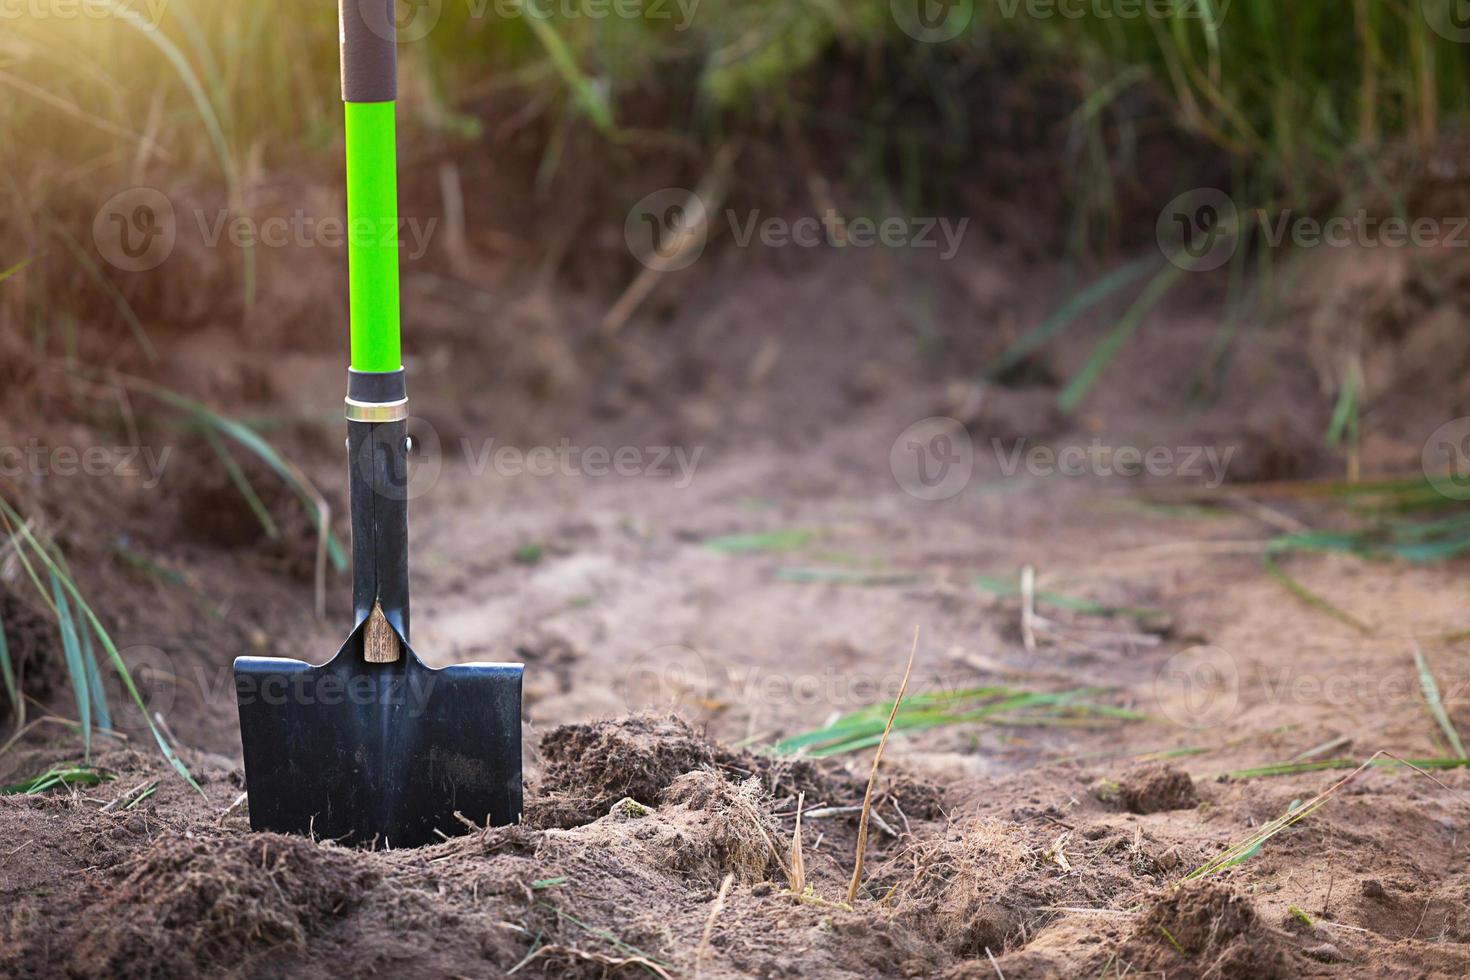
(1212, 932)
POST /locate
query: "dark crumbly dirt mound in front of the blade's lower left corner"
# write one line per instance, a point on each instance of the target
(187, 906)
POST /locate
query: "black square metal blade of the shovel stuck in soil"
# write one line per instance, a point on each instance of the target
(381, 754)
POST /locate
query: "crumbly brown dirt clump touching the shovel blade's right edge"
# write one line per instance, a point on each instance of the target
(590, 768)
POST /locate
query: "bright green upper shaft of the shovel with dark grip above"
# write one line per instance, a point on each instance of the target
(370, 92)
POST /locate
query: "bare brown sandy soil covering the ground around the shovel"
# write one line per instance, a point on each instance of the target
(658, 837)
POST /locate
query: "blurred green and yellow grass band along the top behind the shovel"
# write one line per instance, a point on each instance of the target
(1305, 101)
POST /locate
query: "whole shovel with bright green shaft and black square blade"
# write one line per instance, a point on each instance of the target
(376, 747)
